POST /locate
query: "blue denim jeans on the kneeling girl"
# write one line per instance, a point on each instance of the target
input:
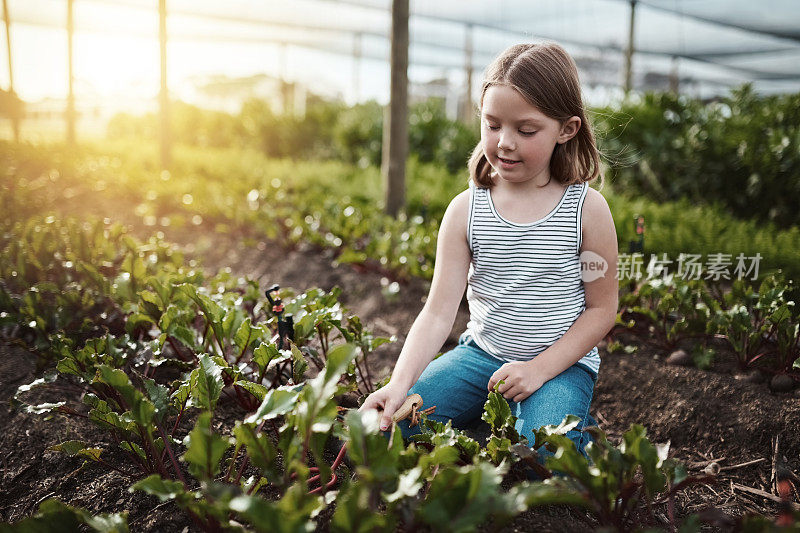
(456, 383)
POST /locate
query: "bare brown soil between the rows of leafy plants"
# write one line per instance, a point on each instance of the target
(716, 415)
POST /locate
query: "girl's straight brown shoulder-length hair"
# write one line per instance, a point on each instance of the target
(547, 77)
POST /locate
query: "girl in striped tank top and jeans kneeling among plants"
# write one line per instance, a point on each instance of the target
(516, 240)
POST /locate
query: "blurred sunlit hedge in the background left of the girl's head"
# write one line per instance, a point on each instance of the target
(327, 130)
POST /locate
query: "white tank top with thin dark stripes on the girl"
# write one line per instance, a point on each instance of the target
(524, 284)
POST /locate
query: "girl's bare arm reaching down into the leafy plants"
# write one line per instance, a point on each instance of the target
(434, 322)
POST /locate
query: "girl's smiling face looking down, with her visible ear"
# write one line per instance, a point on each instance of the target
(517, 138)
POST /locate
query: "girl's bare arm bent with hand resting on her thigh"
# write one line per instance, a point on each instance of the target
(602, 300)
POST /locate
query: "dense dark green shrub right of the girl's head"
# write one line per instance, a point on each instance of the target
(742, 152)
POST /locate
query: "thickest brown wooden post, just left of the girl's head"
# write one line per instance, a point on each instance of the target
(395, 127)
